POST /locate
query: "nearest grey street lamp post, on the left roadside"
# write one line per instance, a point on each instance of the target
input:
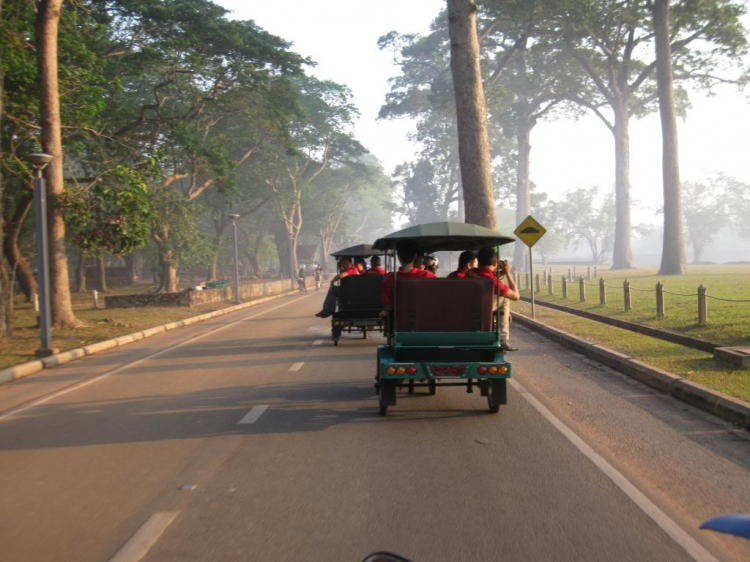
(39, 161)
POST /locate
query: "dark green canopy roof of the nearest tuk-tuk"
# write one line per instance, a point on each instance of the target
(445, 236)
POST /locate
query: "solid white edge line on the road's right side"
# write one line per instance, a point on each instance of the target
(688, 543)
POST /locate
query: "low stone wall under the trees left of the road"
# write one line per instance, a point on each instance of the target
(192, 299)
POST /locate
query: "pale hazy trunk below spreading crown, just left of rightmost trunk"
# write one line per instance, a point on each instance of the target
(622, 254)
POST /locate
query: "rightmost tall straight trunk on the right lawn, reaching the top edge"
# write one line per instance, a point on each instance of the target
(673, 249)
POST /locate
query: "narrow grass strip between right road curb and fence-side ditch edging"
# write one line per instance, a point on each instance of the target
(682, 361)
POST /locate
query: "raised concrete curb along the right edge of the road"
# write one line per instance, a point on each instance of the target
(725, 407)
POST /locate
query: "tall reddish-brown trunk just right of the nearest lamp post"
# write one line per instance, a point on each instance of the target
(48, 19)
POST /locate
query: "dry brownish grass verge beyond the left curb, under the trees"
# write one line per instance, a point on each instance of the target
(100, 324)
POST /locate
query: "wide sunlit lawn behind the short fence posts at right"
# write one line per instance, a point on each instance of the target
(728, 322)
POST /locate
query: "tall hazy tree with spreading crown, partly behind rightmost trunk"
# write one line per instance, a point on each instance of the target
(610, 39)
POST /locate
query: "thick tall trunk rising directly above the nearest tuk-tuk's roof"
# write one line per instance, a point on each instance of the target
(471, 114)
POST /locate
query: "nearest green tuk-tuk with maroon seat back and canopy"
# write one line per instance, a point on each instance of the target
(443, 332)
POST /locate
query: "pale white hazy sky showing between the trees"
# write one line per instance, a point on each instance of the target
(341, 36)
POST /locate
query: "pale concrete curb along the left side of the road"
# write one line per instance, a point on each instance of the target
(32, 367)
